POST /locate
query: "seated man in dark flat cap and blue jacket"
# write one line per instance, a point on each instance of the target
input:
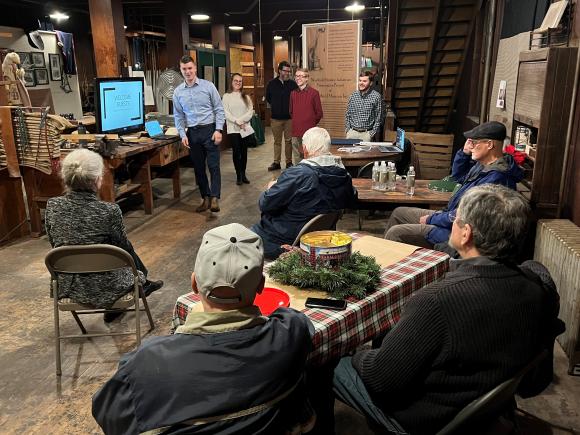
(481, 161)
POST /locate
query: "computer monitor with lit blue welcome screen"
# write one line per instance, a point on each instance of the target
(120, 105)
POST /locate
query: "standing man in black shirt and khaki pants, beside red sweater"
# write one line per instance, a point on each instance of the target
(278, 97)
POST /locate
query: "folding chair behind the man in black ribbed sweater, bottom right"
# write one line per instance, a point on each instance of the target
(492, 404)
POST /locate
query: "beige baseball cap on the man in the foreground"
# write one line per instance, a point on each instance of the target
(229, 256)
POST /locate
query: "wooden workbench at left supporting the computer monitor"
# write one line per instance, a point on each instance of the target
(143, 155)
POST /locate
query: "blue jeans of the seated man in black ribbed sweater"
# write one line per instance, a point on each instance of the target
(349, 388)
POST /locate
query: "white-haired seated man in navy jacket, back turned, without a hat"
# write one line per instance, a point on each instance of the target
(318, 184)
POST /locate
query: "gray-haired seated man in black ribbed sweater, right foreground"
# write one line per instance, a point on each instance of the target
(462, 336)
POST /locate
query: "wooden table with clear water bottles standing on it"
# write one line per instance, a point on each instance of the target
(423, 195)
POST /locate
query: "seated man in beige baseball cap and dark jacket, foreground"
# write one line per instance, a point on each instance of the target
(228, 369)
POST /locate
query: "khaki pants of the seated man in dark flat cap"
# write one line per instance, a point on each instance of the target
(404, 227)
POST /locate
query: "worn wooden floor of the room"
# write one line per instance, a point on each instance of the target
(34, 400)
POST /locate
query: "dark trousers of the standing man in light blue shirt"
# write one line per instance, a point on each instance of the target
(202, 149)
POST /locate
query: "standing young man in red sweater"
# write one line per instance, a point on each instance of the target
(305, 111)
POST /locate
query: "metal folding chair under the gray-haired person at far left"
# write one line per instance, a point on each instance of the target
(81, 259)
